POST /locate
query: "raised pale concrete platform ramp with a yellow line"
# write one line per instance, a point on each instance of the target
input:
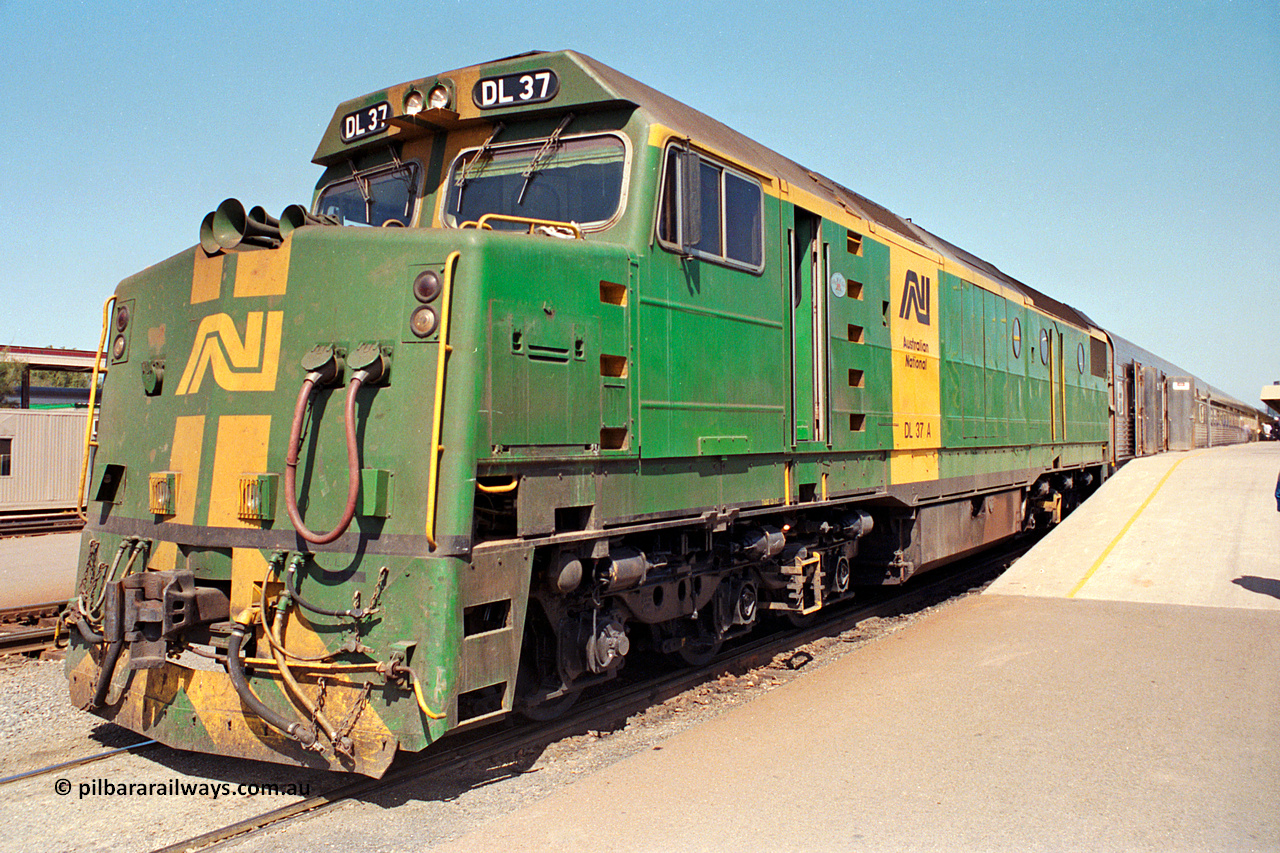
(1192, 528)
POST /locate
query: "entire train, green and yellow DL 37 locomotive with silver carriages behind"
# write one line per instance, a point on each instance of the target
(554, 368)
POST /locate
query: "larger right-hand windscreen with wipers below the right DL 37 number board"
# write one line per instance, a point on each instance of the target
(578, 180)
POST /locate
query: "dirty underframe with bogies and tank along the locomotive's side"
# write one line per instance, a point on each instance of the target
(697, 582)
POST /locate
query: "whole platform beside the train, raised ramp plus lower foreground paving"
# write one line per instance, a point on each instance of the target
(1137, 710)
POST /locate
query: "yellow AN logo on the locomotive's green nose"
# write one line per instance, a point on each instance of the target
(240, 364)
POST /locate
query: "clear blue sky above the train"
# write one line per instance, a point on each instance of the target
(1123, 158)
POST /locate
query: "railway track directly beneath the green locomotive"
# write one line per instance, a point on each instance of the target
(611, 706)
